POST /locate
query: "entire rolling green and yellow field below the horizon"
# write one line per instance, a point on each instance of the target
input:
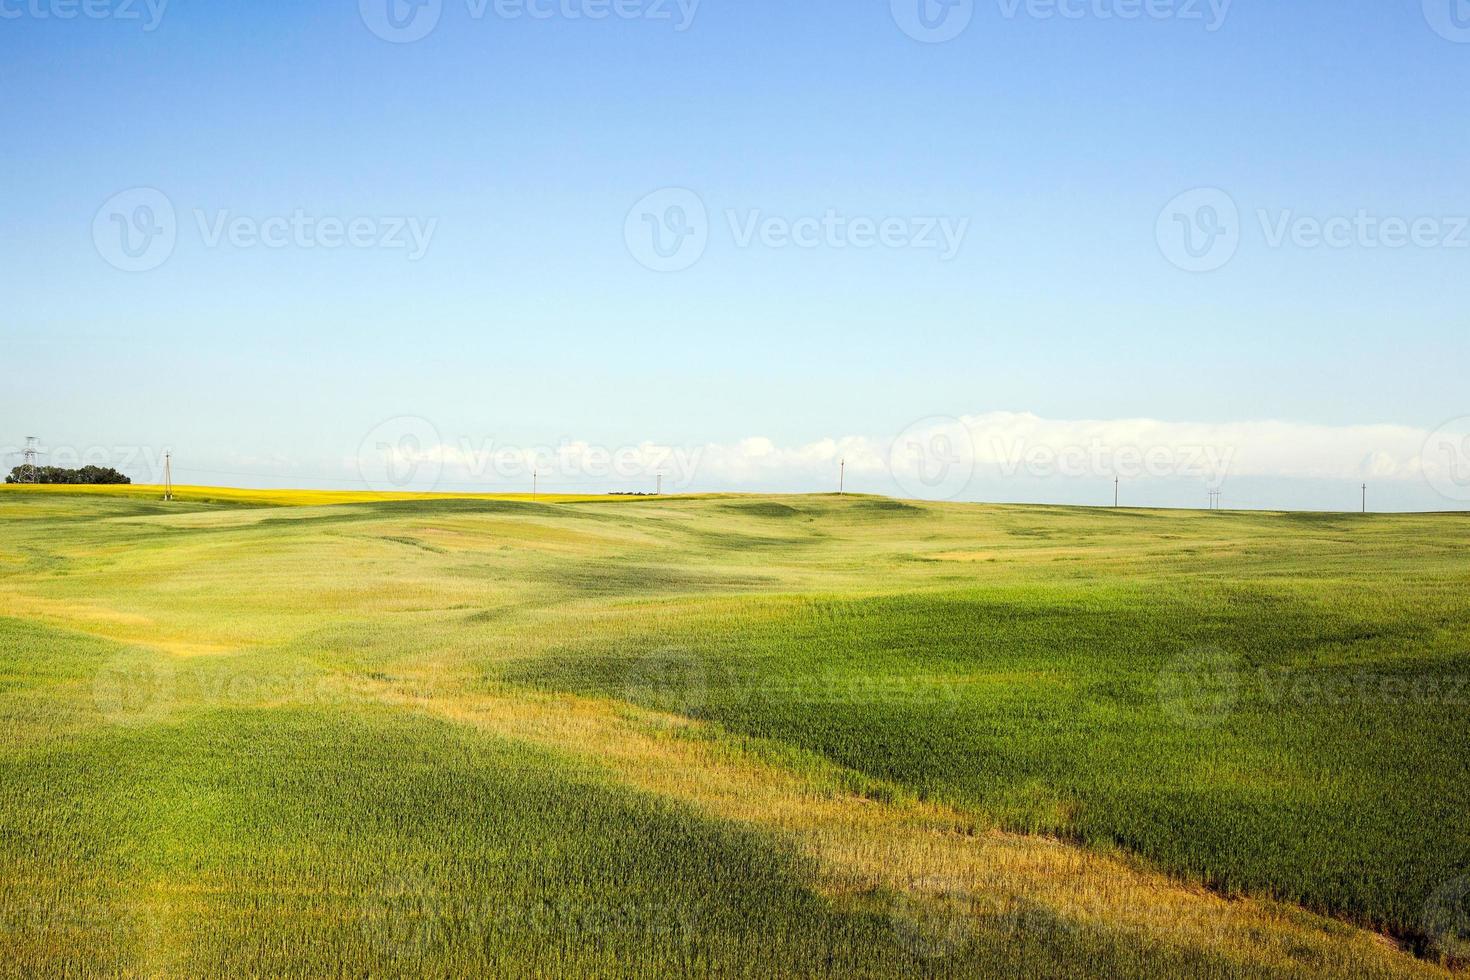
(298, 734)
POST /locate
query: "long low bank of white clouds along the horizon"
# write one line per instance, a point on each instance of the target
(946, 459)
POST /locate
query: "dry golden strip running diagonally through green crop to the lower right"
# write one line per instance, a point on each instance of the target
(928, 853)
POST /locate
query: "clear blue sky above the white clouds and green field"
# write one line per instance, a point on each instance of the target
(526, 142)
